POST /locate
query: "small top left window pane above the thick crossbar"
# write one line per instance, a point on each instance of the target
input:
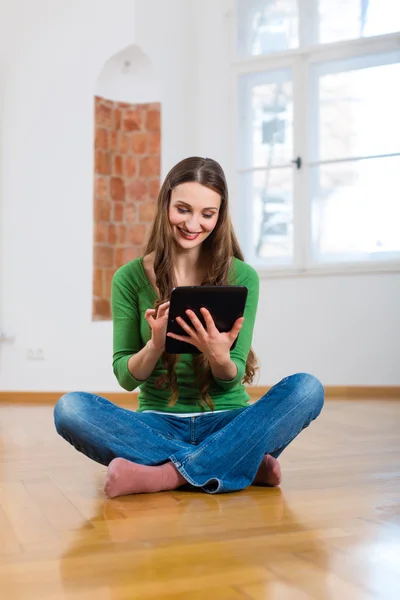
(265, 26)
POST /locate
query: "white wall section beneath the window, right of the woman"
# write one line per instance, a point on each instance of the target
(344, 329)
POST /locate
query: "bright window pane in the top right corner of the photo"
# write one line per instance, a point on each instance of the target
(349, 19)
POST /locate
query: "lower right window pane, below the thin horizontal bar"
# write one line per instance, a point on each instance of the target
(356, 208)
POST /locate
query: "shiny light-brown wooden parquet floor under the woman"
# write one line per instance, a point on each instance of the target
(331, 532)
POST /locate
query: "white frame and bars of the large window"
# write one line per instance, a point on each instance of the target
(301, 61)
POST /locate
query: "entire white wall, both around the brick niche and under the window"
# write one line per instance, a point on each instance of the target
(343, 329)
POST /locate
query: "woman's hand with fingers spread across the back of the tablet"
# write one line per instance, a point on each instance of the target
(211, 342)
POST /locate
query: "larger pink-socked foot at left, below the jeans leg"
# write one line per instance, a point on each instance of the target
(125, 477)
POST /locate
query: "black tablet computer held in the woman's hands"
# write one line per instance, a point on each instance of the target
(226, 303)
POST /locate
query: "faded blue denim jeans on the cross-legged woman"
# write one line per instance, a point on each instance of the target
(218, 452)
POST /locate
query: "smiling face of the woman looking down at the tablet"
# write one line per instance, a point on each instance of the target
(193, 213)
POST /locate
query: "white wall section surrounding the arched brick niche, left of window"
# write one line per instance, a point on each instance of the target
(51, 54)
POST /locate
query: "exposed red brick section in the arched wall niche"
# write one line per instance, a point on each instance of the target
(126, 184)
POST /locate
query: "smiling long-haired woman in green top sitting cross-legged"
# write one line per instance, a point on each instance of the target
(194, 424)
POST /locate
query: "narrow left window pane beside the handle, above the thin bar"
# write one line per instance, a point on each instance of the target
(266, 119)
